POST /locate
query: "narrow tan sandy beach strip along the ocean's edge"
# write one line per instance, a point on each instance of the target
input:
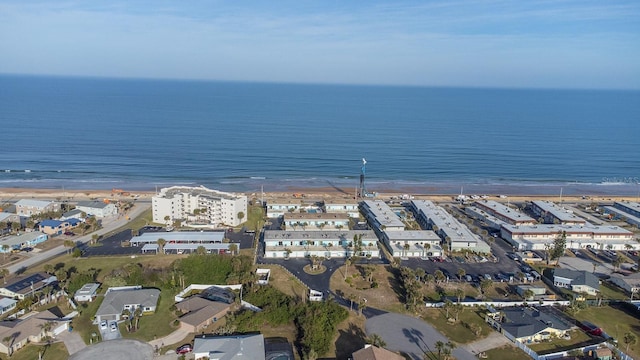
(332, 193)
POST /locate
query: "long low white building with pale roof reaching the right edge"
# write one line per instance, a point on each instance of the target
(539, 237)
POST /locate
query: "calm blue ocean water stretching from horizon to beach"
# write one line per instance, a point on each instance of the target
(102, 133)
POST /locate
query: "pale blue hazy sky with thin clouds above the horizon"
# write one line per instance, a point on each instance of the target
(520, 43)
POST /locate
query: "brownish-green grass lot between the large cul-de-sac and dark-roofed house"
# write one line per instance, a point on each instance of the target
(459, 331)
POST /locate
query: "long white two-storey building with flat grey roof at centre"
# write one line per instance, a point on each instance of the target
(328, 244)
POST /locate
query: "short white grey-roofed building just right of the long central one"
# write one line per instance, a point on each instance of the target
(412, 243)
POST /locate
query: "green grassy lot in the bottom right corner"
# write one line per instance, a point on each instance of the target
(615, 322)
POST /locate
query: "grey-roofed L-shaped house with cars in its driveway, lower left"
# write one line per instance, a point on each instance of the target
(117, 300)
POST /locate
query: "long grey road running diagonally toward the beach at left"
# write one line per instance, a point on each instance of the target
(108, 226)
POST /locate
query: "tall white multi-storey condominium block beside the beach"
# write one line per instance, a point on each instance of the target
(198, 205)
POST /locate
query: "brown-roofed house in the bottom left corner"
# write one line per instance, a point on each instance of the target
(33, 328)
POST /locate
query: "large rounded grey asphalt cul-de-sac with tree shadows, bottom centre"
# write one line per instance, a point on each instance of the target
(410, 336)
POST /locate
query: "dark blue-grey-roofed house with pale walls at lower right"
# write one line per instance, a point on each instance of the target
(527, 324)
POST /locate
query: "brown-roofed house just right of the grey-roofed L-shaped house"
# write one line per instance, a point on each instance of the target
(199, 312)
